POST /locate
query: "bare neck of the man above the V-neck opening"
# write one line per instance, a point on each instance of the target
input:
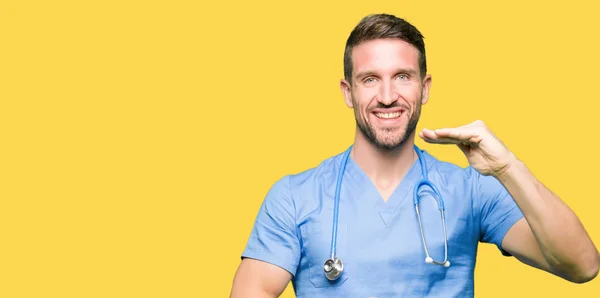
(383, 167)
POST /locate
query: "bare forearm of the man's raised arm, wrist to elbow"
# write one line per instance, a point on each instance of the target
(561, 237)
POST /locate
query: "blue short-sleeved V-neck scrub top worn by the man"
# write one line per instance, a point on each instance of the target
(380, 242)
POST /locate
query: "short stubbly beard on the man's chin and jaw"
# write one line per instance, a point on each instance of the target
(390, 139)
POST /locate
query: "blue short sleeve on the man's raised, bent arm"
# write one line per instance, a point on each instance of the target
(498, 211)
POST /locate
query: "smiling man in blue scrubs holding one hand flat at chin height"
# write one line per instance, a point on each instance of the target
(388, 249)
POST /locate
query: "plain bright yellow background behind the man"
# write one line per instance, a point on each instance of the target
(140, 137)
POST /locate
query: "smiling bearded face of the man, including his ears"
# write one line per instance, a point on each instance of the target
(386, 91)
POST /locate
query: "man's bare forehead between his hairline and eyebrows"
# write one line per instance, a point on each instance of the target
(385, 55)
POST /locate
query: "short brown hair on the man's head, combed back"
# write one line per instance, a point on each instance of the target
(378, 26)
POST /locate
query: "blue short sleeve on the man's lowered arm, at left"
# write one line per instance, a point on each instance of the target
(274, 237)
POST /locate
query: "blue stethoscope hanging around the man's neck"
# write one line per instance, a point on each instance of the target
(334, 266)
